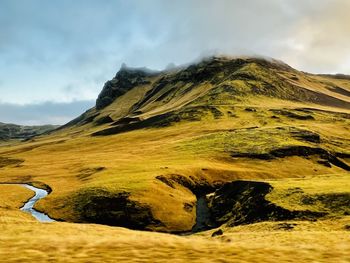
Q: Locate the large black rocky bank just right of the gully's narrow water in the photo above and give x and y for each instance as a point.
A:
(243, 202)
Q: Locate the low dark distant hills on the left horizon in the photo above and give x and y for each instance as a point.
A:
(13, 131)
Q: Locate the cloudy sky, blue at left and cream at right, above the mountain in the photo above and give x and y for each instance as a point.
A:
(55, 56)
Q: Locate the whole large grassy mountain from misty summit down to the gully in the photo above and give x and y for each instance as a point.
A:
(223, 142)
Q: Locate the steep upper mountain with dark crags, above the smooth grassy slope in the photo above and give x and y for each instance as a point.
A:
(138, 97)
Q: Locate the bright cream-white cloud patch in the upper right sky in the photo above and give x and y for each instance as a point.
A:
(320, 40)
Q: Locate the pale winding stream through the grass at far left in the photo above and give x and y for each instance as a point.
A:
(29, 205)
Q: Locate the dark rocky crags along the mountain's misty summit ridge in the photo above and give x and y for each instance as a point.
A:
(207, 70)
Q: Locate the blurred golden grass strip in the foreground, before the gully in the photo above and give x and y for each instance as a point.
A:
(23, 239)
